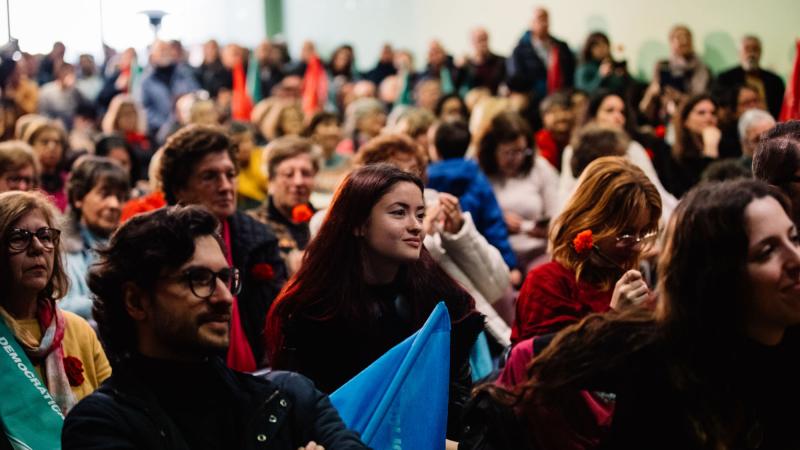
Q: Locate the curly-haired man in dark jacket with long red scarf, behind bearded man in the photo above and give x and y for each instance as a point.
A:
(198, 167)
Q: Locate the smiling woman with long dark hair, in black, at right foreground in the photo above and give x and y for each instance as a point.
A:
(713, 366)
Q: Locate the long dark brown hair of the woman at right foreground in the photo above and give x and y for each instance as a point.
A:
(698, 322)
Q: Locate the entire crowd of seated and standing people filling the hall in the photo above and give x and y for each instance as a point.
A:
(598, 239)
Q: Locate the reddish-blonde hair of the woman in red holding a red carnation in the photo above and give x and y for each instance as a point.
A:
(610, 194)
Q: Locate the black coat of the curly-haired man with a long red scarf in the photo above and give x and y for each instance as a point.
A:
(254, 243)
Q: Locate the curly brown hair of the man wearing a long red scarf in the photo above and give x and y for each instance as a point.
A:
(185, 149)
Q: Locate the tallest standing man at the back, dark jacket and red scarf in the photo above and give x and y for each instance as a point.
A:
(545, 62)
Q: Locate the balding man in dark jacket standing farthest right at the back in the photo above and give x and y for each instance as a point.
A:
(769, 85)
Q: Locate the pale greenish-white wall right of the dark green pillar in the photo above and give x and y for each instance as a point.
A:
(640, 26)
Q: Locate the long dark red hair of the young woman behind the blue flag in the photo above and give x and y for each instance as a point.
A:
(330, 283)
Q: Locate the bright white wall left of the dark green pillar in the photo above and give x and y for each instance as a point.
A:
(38, 23)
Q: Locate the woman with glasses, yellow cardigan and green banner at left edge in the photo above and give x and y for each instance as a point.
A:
(42, 346)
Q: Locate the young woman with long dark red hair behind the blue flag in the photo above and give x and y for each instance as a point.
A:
(367, 283)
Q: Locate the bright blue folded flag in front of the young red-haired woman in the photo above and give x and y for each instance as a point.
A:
(400, 400)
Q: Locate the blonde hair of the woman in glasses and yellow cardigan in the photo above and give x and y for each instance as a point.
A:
(14, 205)
